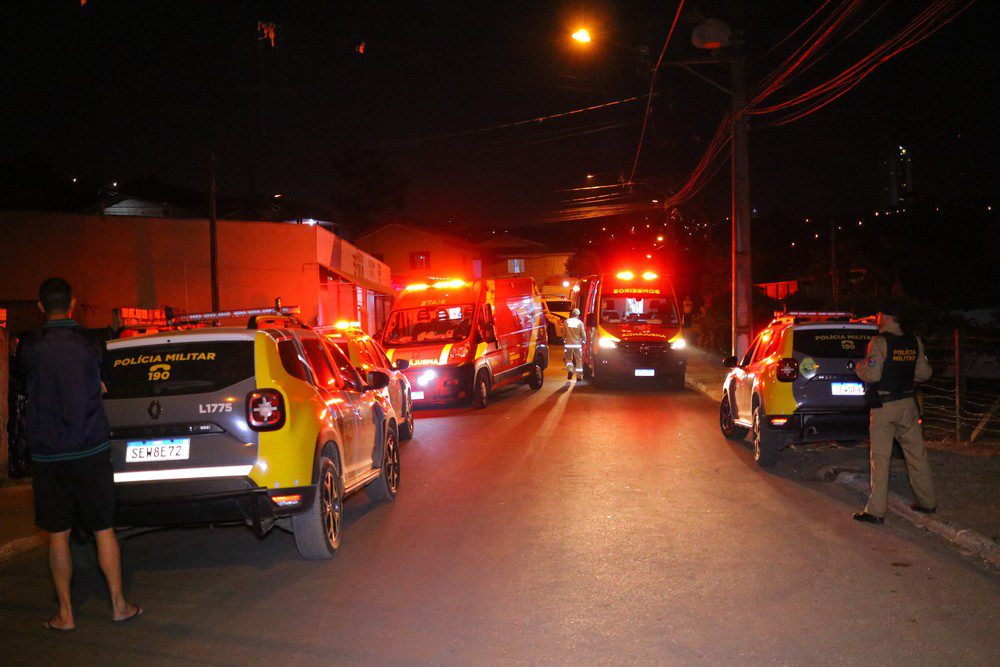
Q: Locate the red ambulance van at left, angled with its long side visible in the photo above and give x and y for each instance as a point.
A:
(464, 340)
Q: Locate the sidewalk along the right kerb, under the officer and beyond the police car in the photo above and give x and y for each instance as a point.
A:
(967, 480)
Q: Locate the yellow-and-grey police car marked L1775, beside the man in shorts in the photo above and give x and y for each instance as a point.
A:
(265, 424)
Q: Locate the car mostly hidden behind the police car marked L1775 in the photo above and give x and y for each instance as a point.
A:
(367, 355)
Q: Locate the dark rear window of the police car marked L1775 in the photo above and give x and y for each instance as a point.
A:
(174, 369)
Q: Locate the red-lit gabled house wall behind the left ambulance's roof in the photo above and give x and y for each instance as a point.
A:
(449, 257)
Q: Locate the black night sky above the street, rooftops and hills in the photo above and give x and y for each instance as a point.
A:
(123, 90)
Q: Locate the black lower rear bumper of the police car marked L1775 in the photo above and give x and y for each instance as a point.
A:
(213, 500)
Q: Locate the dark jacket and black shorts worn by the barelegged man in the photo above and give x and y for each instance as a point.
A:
(66, 430)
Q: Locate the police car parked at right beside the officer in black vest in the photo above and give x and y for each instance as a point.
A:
(796, 383)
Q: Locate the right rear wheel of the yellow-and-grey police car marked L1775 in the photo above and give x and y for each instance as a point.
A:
(318, 531)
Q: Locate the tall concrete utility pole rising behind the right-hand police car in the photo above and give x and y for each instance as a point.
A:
(742, 282)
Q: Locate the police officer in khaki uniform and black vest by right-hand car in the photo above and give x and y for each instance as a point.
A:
(894, 364)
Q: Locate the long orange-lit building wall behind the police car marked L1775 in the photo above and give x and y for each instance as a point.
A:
(115, 262)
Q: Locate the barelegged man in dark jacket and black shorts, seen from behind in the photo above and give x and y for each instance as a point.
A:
(67, 433)
